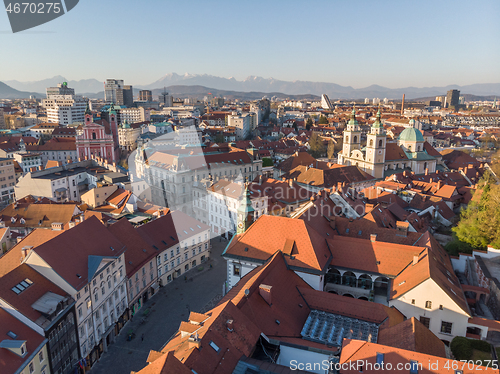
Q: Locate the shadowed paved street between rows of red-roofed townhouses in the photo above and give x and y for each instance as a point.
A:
(167, 309)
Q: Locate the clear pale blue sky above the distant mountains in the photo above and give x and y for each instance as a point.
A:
(393, 43)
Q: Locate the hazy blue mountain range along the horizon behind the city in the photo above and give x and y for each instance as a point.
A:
(248, 88)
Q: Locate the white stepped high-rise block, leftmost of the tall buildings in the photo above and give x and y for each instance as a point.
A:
(63, 106)
